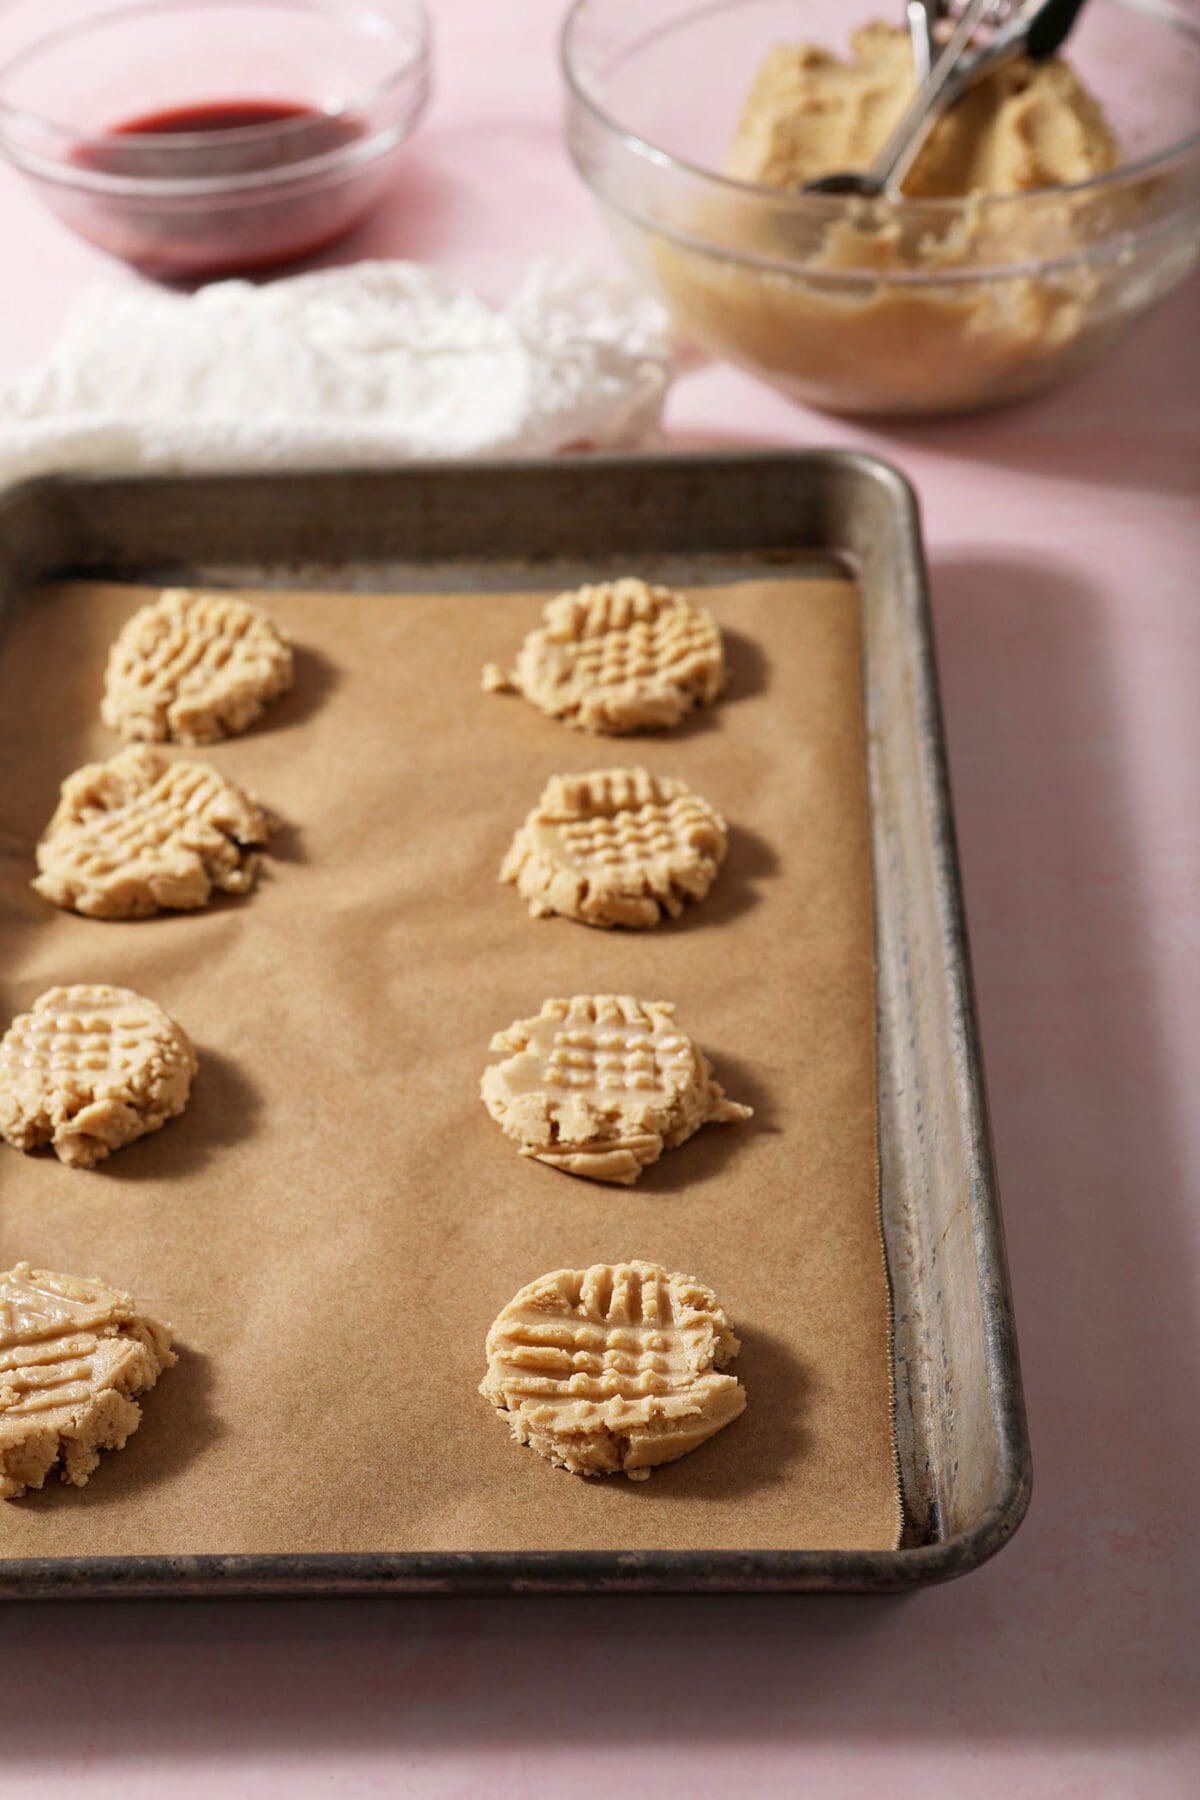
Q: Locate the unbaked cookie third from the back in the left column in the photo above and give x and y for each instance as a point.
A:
(91, 1070)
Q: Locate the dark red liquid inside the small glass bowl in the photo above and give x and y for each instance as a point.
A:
(251, 228)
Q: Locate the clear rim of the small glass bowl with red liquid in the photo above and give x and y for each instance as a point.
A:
(411, 69)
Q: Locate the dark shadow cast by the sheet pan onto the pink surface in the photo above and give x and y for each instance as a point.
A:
(1082, 1632)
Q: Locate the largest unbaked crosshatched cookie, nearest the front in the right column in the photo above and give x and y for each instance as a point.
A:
(614, 1369)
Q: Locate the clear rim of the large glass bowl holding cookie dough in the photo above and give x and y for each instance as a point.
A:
(834, 206)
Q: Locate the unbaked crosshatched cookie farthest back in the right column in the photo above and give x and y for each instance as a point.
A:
(618, 658)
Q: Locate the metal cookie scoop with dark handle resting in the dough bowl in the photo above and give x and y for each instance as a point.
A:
(1032, 30)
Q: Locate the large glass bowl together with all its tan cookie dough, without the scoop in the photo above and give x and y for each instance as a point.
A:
(1044, 217)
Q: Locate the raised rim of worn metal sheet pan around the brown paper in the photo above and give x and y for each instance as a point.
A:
(960, 1412)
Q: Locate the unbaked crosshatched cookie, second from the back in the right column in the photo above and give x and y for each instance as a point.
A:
(618, 847)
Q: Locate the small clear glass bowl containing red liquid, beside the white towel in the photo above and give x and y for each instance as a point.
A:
(208, 138)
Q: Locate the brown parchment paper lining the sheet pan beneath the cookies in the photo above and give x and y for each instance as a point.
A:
(336, 1221)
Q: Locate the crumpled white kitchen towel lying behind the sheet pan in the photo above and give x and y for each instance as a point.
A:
(372, 363)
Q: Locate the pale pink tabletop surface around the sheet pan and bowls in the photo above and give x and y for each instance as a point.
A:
(1064, 543)
